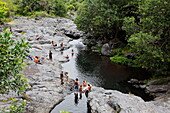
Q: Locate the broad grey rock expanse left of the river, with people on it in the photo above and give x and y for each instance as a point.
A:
(46, 89)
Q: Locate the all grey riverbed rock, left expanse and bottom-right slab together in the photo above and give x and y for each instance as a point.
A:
(46, 91)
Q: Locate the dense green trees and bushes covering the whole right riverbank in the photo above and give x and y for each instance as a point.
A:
(142, 25)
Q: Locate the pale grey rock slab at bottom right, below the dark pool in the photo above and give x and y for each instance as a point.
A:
(112, 101)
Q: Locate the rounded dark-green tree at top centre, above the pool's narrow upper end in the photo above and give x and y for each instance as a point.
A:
(102, 18)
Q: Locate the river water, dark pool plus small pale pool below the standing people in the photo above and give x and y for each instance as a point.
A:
(98, 71)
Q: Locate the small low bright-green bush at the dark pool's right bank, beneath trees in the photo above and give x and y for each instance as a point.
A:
(120, 60)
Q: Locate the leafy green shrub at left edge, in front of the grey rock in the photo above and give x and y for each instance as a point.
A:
(12, 54)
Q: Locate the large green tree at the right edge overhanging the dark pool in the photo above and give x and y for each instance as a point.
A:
(150, 36)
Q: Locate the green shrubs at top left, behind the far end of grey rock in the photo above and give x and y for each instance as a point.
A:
(41, 7)
